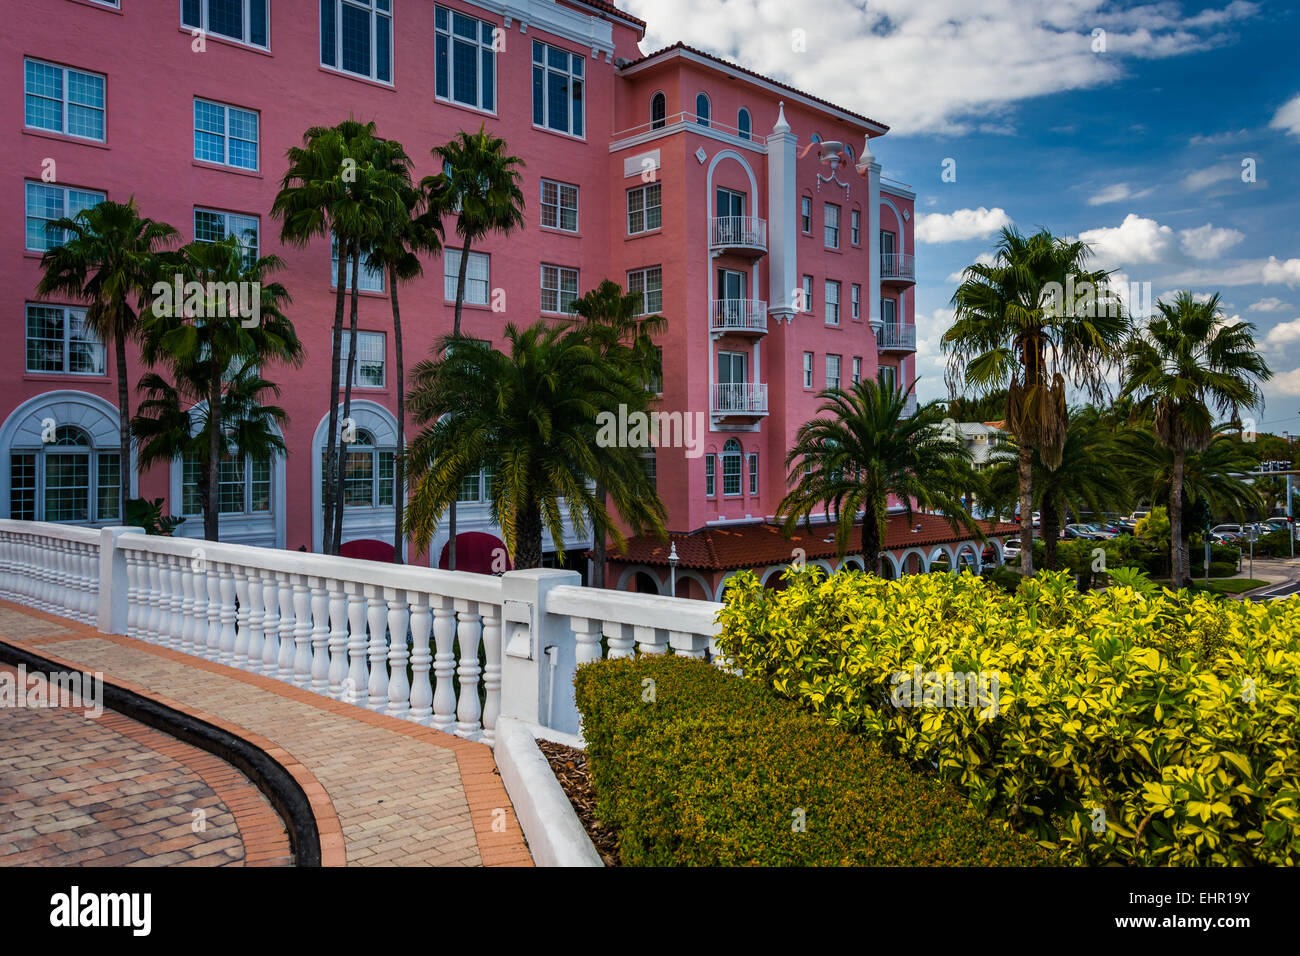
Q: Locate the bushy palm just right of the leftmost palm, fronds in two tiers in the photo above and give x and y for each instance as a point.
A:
(215, 360)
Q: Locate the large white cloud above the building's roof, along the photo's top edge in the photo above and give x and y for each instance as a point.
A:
(937, 66)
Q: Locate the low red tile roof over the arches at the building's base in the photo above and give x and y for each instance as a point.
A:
(759, 546)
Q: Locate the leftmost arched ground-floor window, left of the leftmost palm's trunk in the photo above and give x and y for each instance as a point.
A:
(64, 481)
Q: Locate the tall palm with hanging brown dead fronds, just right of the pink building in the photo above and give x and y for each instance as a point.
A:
(1015, 328)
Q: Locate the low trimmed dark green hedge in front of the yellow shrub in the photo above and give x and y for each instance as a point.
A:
(714, 771)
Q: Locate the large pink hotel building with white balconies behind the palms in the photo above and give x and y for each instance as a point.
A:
(751, 214)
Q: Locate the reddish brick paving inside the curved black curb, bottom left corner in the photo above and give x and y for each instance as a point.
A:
(107, 791)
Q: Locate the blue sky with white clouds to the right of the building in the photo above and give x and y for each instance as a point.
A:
(1165, 135)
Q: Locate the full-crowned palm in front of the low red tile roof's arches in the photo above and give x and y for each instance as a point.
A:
(861, 451)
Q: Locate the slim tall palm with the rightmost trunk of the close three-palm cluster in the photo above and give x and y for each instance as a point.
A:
(406, 236)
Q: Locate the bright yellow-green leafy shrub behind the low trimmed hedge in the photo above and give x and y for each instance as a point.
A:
(1175, 716)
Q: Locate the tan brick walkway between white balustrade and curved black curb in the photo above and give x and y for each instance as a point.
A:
(384, 791)
